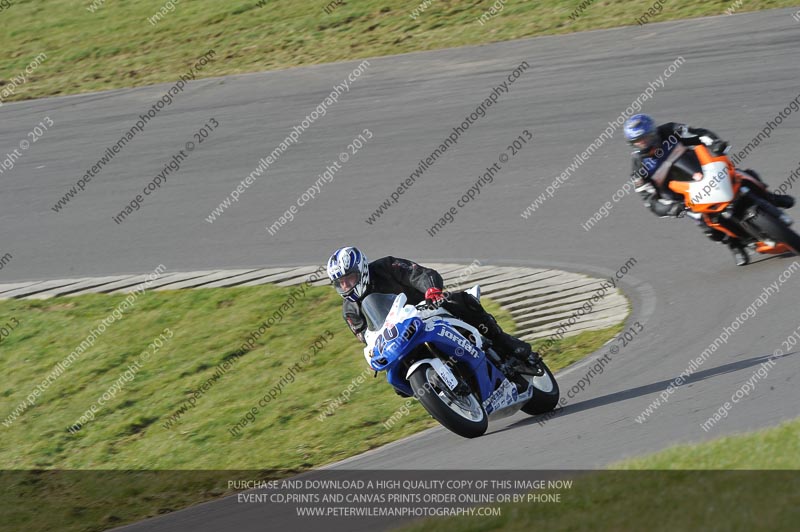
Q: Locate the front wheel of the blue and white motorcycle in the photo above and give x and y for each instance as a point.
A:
(461, 413)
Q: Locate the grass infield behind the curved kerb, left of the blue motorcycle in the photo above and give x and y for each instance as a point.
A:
(144, 419)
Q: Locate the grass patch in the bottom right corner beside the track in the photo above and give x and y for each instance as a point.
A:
(684, 487)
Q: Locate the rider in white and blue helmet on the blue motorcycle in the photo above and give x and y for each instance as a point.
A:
(354, 278)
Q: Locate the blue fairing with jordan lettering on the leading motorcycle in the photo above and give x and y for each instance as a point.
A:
(401, 340)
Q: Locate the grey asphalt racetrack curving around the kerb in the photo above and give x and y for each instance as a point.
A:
(739, 71)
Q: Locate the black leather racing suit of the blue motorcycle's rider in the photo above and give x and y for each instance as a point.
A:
(391, 275)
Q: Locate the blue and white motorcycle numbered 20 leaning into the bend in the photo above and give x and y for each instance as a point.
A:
(450, 367)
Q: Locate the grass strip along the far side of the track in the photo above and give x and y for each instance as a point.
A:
(94, 45)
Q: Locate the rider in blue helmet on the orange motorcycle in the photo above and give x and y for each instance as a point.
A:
(655, 155)
